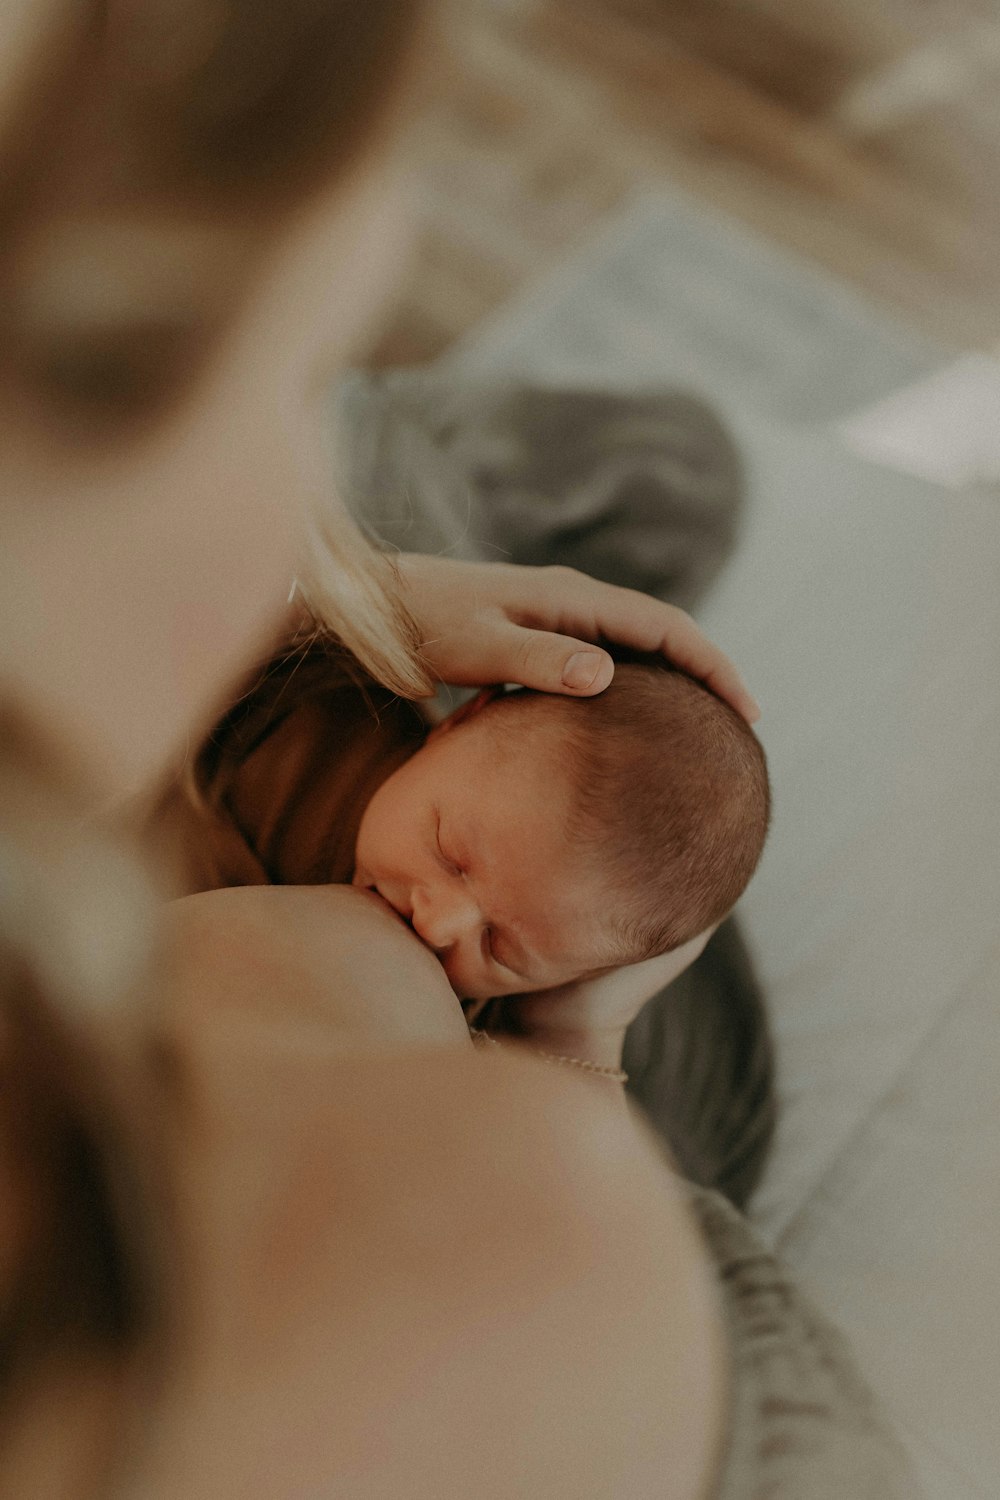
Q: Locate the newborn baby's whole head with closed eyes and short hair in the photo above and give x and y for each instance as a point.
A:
(545, 839)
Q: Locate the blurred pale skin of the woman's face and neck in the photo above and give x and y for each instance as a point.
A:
(193, 539)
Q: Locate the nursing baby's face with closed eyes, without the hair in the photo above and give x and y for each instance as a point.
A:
(469, 842)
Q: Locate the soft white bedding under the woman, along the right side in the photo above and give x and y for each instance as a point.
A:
(866, 611)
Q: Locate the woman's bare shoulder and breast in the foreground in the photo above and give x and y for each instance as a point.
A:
(403, 1270)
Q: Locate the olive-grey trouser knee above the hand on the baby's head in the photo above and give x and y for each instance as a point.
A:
(639, 490)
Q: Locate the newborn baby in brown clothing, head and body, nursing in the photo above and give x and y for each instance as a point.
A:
(530, 839)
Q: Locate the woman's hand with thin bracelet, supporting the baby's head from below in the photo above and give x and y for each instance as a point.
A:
(590, 1019)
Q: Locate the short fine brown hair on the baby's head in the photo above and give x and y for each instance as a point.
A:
(672, 800)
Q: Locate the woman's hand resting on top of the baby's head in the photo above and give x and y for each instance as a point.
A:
(488, 623)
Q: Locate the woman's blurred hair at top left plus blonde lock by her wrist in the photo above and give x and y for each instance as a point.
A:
(148, 170)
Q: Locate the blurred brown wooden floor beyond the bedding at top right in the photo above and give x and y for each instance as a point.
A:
(864, 137)
